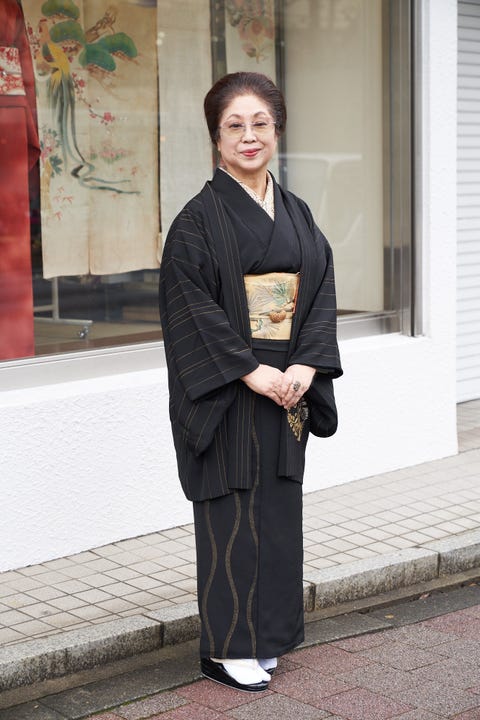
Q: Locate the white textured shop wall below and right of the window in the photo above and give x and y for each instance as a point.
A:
(89, 462)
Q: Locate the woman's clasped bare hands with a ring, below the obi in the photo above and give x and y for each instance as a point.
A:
(284, 388)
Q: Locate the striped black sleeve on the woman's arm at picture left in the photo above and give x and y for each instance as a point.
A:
(203, 350)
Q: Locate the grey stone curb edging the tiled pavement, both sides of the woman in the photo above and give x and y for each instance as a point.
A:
(32, 661)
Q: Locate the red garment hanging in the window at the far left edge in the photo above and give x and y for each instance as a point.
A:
(19, 150)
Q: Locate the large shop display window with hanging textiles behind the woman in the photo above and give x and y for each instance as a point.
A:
(103, 141)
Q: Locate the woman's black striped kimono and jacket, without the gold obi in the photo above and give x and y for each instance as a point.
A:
(238, 459)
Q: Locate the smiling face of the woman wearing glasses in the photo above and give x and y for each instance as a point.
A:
(248, 154)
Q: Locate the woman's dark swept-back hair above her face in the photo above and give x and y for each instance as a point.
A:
(243, 83)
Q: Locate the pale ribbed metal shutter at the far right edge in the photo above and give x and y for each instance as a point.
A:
(468, 202)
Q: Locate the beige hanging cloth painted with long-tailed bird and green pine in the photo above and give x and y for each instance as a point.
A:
(96, 77)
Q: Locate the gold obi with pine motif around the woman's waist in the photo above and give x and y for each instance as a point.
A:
(271, 302)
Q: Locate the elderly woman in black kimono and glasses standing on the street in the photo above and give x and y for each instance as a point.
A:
(247, 302)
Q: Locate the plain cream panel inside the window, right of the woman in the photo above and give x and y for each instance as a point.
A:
(334, 85)
